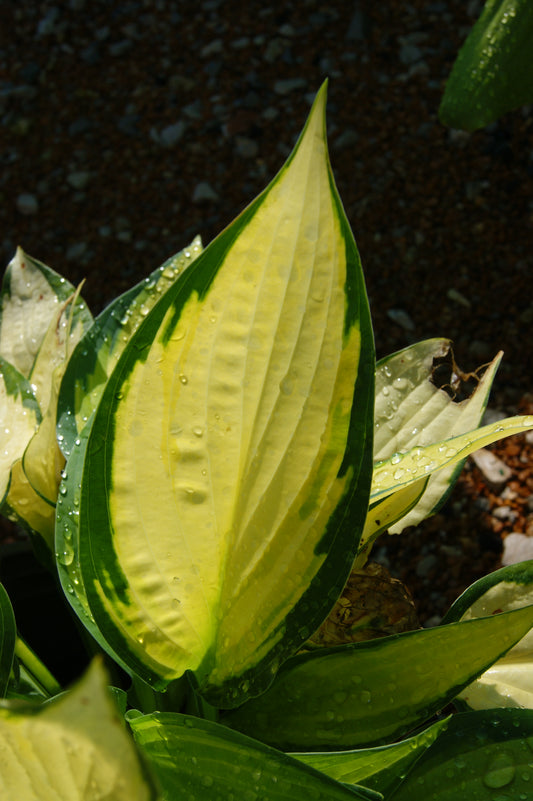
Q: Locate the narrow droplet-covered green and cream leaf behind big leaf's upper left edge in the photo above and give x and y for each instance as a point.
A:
(98, 352)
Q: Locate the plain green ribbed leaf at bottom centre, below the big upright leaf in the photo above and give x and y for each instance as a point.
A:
(194, 758)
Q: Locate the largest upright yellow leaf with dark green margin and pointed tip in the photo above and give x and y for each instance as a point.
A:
(226, 477)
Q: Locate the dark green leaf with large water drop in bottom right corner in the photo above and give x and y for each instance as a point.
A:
(486, 756)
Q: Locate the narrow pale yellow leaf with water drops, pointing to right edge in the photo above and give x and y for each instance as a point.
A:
(407, 468)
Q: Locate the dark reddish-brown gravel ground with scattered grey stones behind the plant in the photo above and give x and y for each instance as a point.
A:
(127, 128)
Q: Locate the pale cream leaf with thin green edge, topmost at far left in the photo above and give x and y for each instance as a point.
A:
(31, 296)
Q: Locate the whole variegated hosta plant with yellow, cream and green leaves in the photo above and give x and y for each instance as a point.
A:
(203, 466)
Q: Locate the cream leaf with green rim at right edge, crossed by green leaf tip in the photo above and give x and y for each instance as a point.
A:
(509, 682)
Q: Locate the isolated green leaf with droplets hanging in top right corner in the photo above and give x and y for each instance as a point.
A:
(493, 72)
